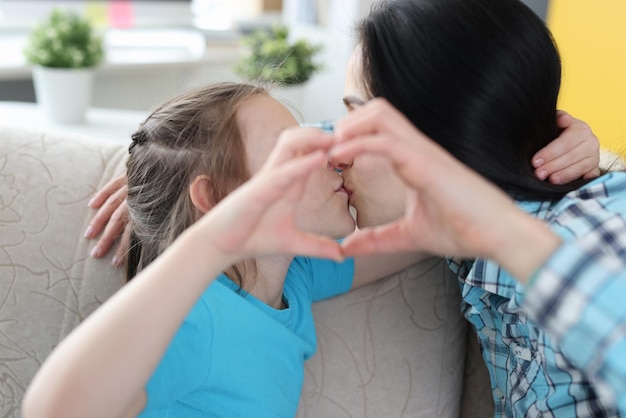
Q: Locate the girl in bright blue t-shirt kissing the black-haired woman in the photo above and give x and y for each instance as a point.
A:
(217, 321)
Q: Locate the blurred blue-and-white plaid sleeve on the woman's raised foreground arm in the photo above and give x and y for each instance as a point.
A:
(579, 296)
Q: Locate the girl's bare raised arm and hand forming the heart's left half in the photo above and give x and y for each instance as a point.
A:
(102, 367)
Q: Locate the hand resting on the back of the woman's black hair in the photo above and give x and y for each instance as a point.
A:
(574, 154)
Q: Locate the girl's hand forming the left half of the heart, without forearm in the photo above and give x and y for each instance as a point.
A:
(258, 218)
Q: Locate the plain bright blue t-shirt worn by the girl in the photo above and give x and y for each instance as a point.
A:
(235, 356)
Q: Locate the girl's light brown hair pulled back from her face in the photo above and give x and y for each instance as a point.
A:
(193, 134)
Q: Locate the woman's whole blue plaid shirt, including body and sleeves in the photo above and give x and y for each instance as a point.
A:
(546, 365)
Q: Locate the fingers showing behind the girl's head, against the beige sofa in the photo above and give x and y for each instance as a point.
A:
(111, 217)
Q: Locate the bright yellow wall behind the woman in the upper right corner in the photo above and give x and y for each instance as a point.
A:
(591, 35)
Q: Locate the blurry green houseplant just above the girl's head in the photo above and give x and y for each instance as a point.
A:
(273, 59)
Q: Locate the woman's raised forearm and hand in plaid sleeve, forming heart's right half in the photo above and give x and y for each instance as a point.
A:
(567, 283)
